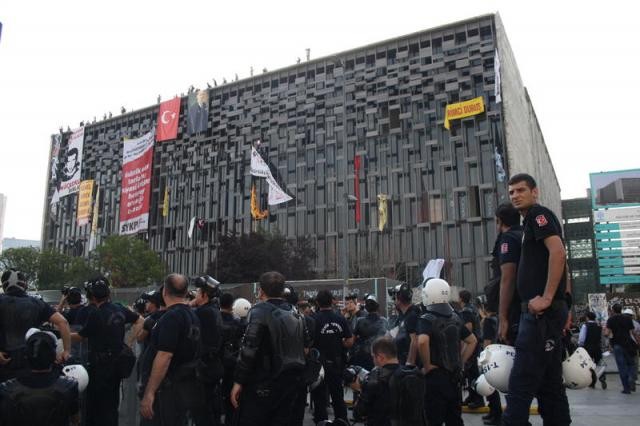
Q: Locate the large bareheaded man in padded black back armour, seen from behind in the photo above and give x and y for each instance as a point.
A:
(272, 358)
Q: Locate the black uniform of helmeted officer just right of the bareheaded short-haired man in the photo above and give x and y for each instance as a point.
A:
(212, 369)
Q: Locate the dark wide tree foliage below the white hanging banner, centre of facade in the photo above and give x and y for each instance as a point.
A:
(244, 258)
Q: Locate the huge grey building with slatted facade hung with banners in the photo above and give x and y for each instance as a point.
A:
(385, 105)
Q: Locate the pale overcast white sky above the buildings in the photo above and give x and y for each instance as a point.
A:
(67, 61)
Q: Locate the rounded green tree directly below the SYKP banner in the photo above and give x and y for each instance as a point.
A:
(128, 261)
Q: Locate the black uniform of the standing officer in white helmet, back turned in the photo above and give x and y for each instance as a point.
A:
(442, 395)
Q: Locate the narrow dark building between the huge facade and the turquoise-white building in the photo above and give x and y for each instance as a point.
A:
(581, 258)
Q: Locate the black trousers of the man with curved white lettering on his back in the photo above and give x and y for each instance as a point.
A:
(333, 384)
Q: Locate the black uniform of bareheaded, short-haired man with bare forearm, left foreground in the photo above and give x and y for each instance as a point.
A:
(177, 332)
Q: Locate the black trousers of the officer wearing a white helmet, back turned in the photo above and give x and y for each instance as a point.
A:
(443, 399)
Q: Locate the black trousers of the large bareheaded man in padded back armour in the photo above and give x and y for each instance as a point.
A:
(269, 404)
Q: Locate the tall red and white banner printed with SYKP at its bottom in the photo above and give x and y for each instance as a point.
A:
(136, 184)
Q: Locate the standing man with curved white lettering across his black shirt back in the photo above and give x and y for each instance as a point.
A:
(332, 336)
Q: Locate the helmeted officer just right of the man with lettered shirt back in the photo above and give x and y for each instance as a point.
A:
(367, 329)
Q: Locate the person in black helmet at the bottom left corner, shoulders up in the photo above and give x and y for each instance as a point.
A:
(41, 397)
